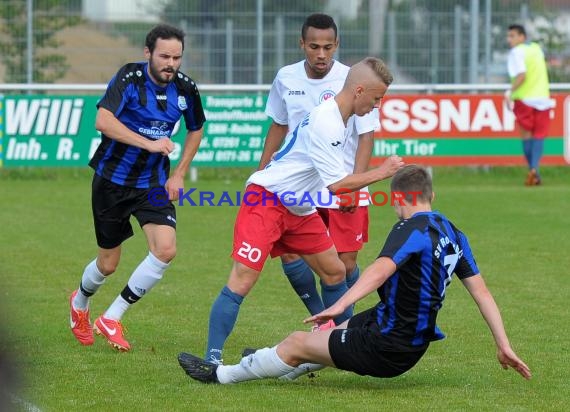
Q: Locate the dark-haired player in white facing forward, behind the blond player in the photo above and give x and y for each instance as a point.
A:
(296, 90)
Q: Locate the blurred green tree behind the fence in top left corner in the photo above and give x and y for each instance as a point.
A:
(49, 16)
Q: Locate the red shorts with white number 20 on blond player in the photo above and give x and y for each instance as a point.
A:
(264, 227)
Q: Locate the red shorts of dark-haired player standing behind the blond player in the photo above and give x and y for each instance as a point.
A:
(348, 231)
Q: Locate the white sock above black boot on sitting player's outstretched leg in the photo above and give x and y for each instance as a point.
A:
(264, 363)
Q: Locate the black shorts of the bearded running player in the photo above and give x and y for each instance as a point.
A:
(113, 206)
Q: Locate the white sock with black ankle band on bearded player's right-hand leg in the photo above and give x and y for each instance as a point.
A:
(146, 275)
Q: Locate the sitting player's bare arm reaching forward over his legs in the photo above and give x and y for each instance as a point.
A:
(370, 280)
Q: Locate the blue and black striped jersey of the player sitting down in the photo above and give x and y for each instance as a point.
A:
(427, 249)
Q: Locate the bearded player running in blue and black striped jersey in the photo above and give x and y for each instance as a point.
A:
(136, 118)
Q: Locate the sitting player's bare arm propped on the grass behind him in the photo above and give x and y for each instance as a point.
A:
(490, 311)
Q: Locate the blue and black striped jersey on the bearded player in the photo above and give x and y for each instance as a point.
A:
(152, 112)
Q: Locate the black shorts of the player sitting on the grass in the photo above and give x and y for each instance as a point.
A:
(362, 349)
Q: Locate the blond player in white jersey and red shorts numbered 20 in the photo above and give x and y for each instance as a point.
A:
(273, 219)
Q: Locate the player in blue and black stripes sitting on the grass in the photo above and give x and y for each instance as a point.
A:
(411, 274)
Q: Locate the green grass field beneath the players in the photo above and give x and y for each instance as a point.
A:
(520, 237)
